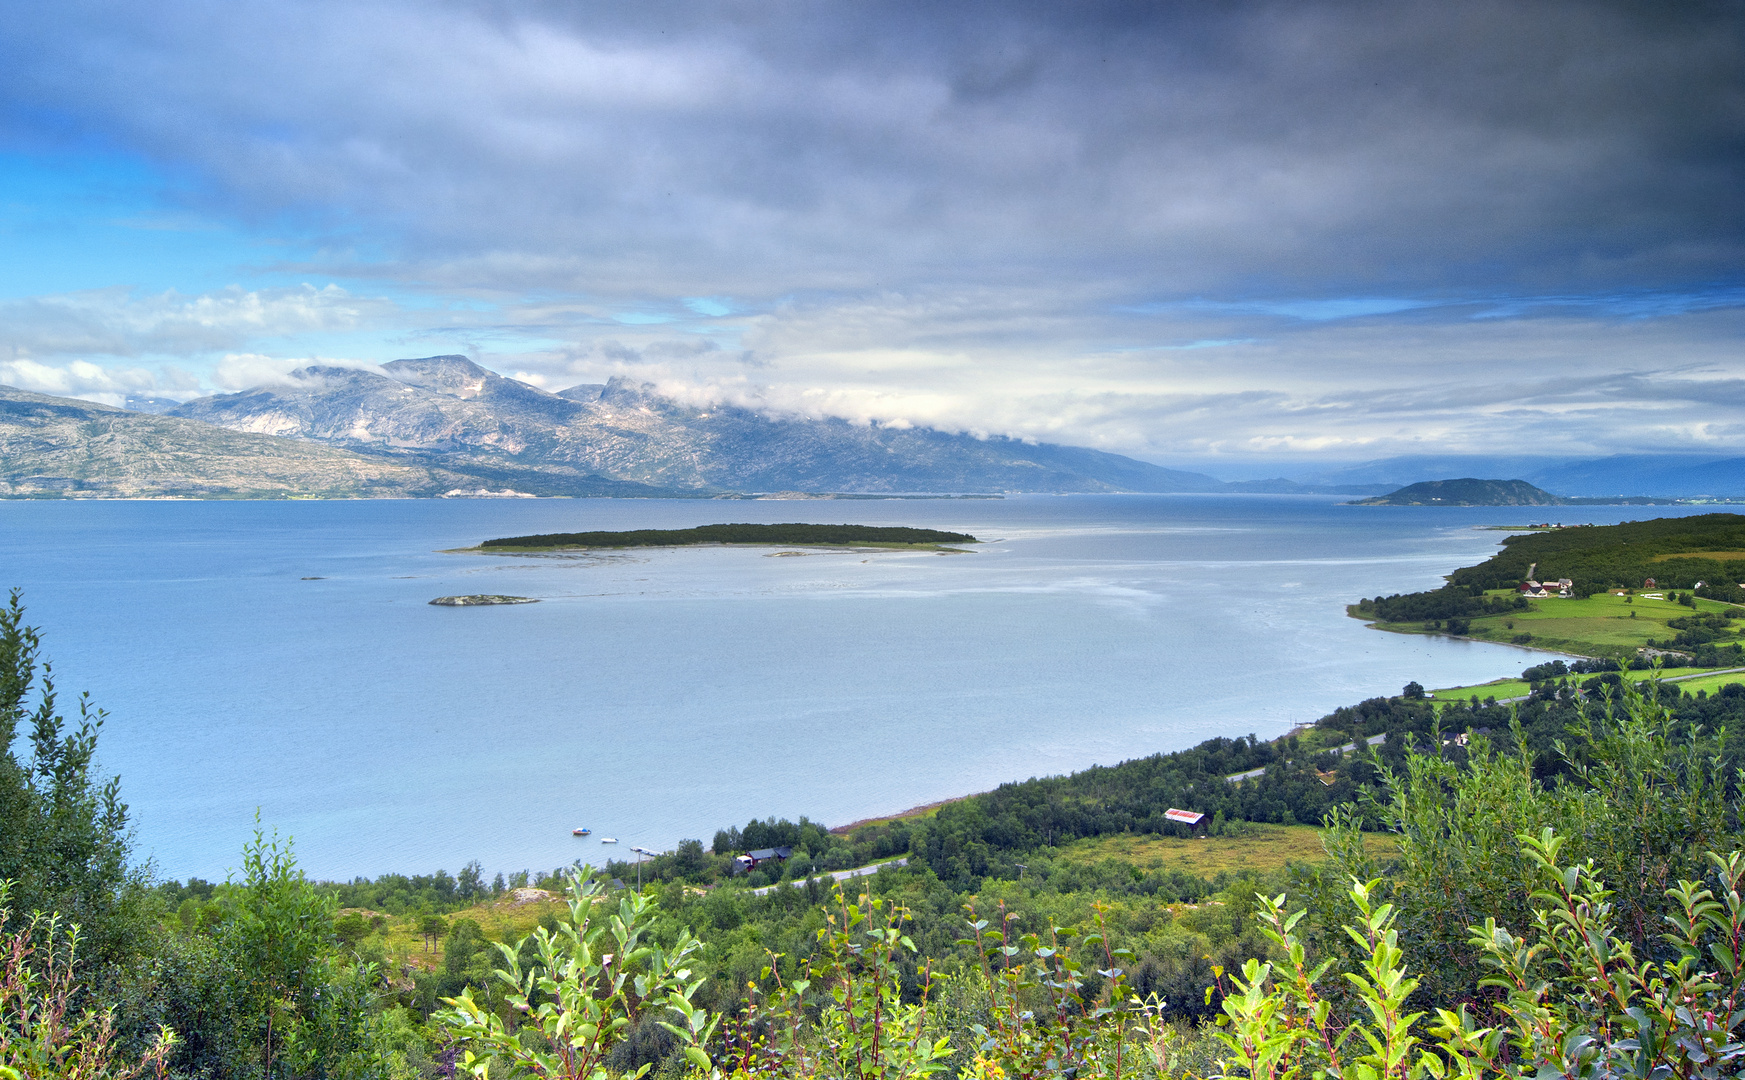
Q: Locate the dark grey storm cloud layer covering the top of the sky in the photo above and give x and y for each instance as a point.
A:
(760, 149)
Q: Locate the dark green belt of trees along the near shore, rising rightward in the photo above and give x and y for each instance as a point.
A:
(1296, 781)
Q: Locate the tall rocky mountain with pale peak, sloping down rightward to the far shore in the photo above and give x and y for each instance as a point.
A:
(448, 409)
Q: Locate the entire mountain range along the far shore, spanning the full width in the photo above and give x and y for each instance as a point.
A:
(444, 425)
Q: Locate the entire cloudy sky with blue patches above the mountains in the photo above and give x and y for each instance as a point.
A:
(1222, 235)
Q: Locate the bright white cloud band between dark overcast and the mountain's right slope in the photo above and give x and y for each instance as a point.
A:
(1053, 369)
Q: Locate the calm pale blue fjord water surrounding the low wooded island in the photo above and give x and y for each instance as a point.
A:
(667, 694)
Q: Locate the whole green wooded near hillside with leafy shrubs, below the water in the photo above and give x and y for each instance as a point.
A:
(1516, 838)
